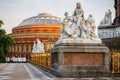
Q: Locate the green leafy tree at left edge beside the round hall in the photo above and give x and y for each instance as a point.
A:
(5, 43)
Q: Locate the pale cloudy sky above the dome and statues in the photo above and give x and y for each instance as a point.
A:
(13, 12)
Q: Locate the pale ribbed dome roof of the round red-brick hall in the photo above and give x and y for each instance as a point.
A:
(43, 18)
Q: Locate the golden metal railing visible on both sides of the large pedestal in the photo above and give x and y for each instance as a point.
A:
(44, 60)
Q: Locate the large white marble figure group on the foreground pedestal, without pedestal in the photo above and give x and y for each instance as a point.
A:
(76, 29)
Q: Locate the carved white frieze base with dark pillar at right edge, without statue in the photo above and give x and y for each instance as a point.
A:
(110, 34)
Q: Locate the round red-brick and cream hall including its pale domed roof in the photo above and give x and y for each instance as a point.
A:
(43, 26)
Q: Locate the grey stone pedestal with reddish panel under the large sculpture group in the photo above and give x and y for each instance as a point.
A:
(80, 60)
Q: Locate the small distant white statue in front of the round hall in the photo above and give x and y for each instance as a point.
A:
(38, 47)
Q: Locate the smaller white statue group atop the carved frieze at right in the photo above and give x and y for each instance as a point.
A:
(107, 20)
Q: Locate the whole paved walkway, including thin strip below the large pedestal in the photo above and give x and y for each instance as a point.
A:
(27, 71)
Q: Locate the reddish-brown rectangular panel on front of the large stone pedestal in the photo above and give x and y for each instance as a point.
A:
(83, 58)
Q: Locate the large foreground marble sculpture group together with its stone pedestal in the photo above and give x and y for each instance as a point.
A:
(79, 52)
